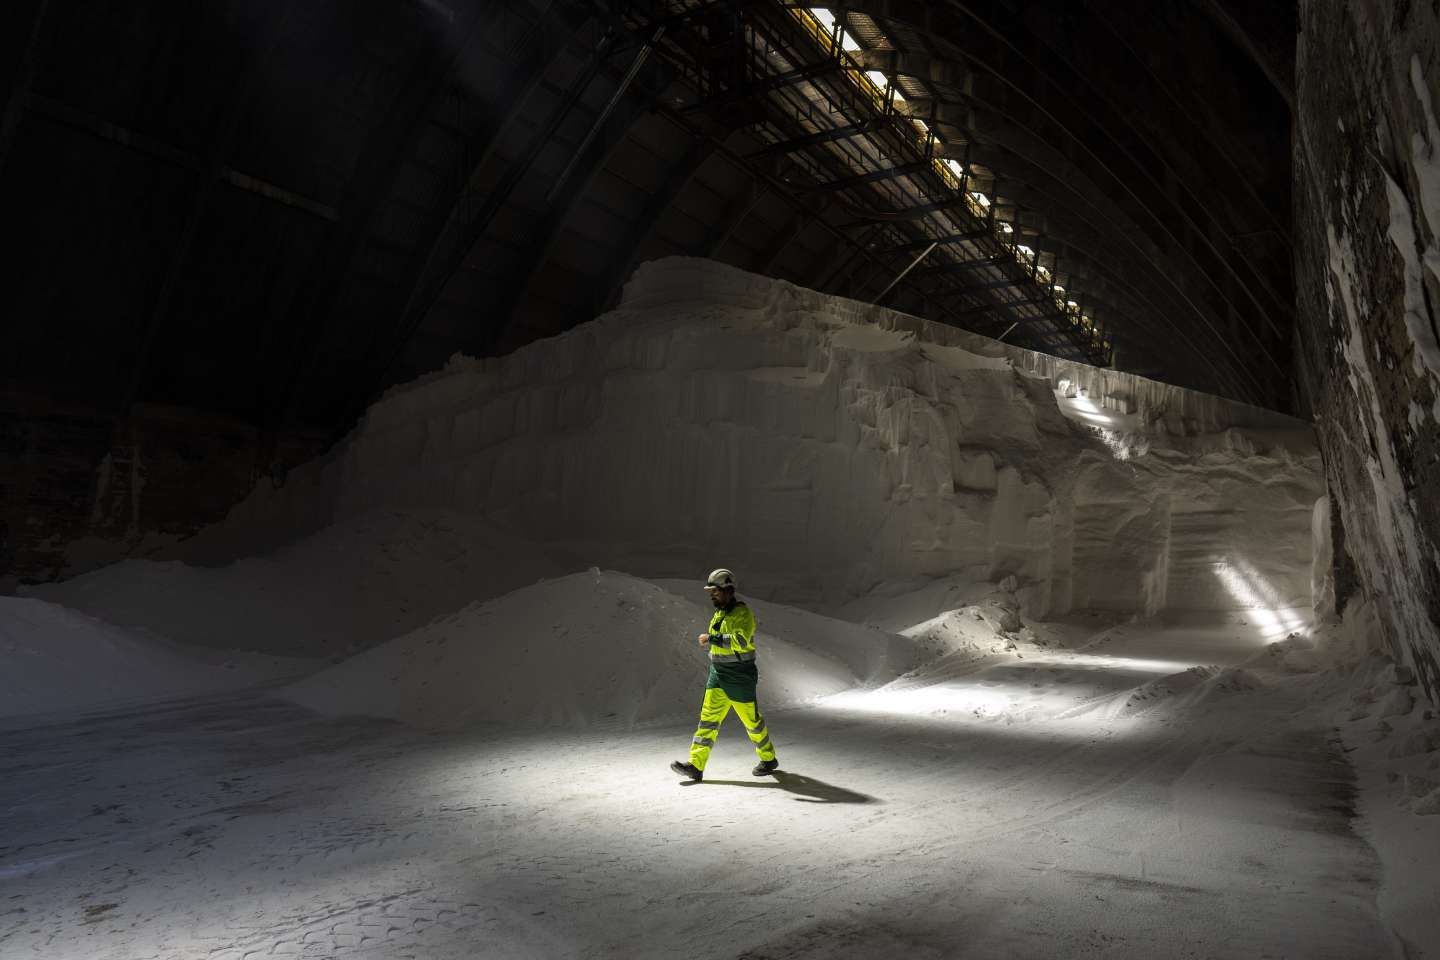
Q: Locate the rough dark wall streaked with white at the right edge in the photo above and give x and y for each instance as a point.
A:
(1367, 152)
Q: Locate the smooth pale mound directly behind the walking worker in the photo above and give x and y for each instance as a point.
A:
(587, 650)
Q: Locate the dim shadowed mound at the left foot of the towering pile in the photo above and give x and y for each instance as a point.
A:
(356, 584)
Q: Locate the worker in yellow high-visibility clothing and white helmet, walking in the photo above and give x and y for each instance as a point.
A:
(734, 676)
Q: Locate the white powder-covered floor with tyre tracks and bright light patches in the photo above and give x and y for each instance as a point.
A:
(1066, 805)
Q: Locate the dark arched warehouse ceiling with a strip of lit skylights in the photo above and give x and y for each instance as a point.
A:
(273, 211)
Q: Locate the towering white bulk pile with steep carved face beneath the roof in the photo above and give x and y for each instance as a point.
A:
(826, 448)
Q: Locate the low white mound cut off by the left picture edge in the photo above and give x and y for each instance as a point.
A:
(60, 661)
